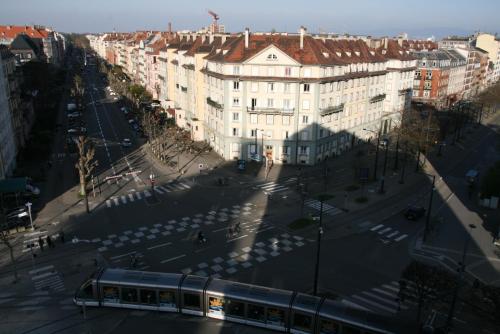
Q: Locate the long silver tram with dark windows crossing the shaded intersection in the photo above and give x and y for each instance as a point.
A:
(280, 310)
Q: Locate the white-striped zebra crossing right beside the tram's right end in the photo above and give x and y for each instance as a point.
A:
(383, 299)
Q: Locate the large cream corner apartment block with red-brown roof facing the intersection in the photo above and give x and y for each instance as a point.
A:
(292, 98)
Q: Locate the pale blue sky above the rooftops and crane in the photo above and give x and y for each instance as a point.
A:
(418, 18)
